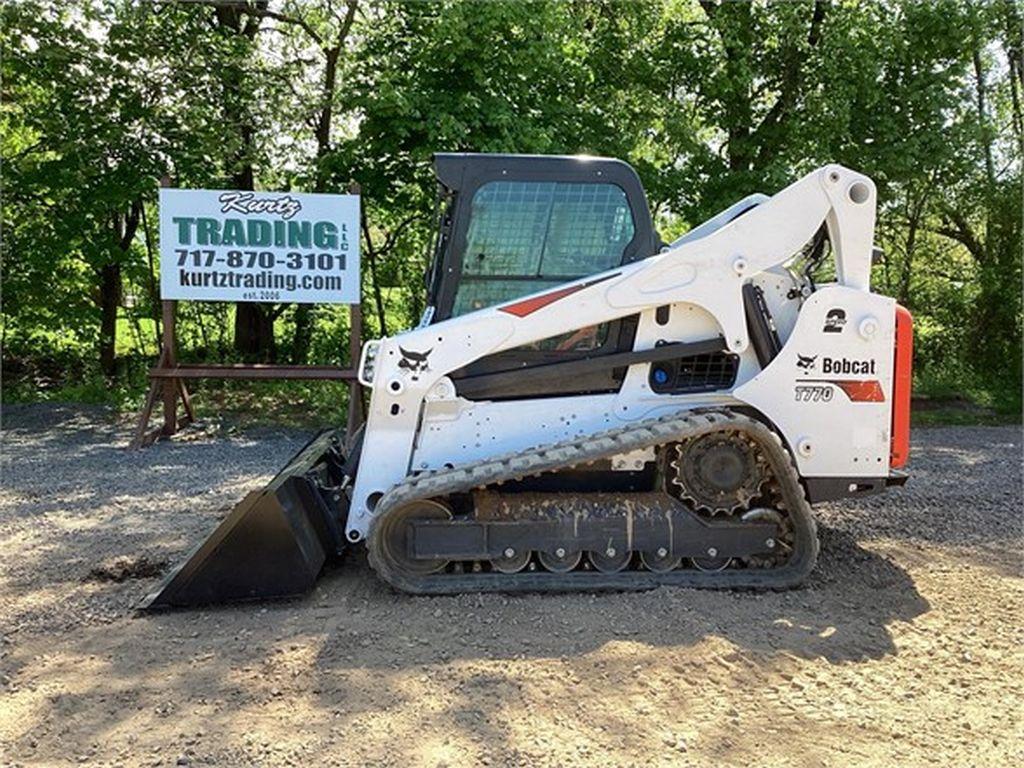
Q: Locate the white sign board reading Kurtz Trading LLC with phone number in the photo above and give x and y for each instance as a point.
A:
(222, 245)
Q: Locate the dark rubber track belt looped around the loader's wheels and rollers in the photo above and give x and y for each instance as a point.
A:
(603, 446)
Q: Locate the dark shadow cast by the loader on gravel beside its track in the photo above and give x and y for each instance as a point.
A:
(841, 616)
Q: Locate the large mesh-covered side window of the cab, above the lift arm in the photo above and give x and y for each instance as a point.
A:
(526, 237)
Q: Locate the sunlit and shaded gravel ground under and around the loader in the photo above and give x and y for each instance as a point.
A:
(905, 648)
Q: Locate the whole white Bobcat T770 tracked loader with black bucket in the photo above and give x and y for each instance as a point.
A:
(584, 407)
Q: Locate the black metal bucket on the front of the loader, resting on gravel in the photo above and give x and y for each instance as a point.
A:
(274, 543)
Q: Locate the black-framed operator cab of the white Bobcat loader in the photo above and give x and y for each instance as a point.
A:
(511, 226)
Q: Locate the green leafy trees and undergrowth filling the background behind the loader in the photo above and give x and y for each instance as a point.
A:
(710, 101)
